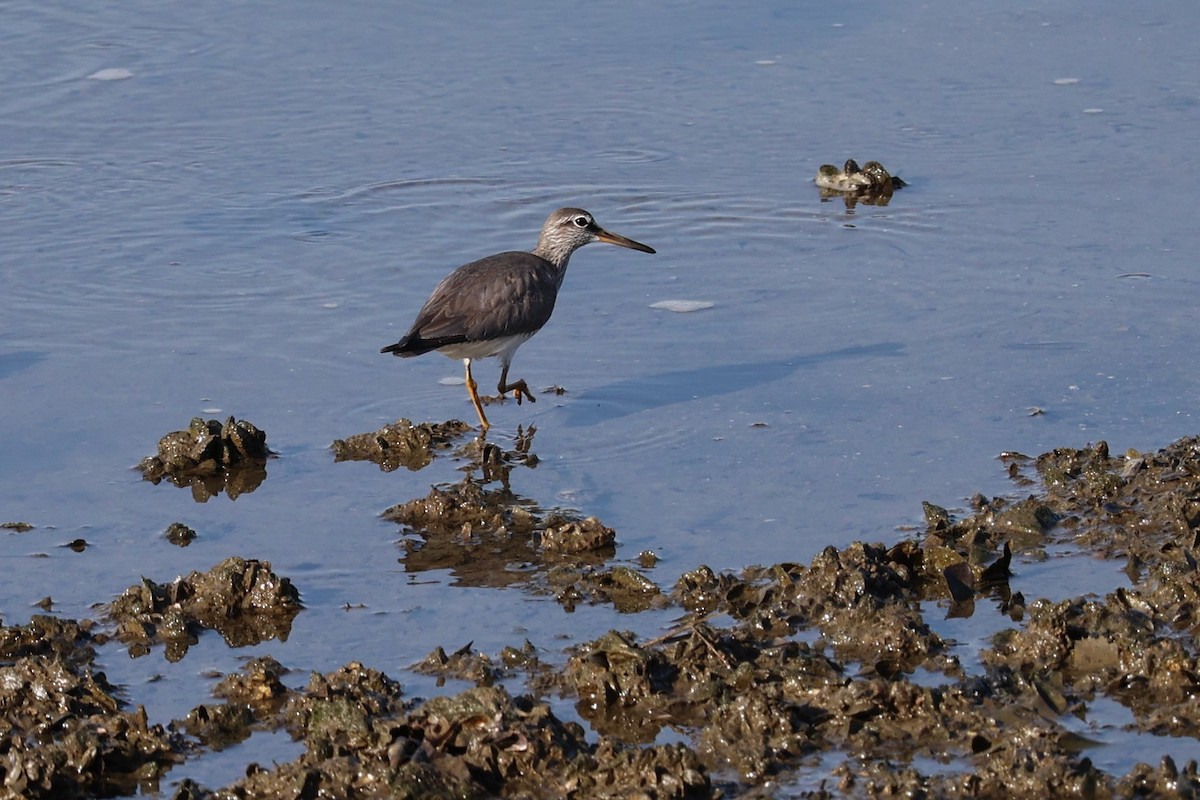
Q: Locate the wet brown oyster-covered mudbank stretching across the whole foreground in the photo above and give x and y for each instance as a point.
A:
(819, 681)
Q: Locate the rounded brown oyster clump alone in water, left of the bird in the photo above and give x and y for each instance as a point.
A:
(211, 458)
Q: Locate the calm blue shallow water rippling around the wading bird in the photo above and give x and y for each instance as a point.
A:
(243, 221)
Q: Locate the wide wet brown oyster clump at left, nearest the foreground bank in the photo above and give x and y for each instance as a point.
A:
(241, 599)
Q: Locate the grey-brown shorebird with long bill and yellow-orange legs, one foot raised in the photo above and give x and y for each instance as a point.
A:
(493, 306)
